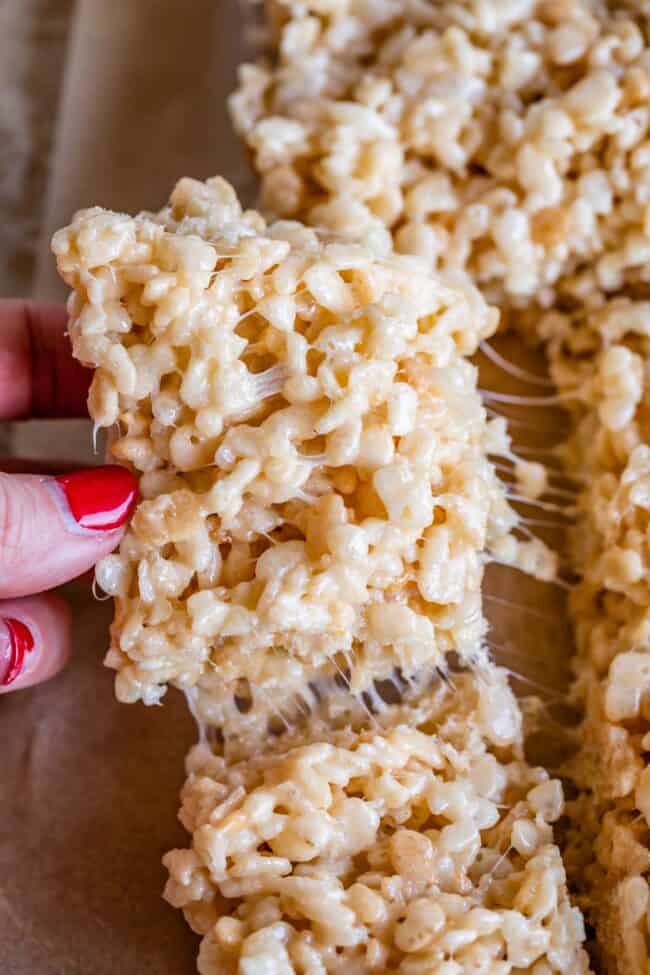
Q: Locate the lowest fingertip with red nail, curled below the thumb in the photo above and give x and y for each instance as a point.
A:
(34, 640)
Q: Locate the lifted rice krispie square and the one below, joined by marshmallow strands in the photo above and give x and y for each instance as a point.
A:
(317, 505)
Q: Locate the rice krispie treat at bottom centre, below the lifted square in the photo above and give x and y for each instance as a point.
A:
(422, 847)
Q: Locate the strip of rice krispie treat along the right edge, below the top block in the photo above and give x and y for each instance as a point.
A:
(606, 354)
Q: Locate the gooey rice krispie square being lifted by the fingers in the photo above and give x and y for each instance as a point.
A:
(316, 498)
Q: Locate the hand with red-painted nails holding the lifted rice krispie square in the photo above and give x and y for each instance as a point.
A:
(52, 529)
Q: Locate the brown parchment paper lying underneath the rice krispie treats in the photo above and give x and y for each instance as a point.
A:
(88, 788)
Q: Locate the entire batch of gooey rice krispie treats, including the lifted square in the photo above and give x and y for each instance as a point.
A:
(323, 483)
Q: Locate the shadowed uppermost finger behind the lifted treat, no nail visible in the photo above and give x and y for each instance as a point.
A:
(38, 376)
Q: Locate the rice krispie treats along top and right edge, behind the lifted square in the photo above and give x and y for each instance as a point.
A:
(509, 142)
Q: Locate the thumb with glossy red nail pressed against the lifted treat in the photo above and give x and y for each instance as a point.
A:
(53, 529)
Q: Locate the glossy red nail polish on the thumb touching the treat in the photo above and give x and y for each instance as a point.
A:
(101, 498)
